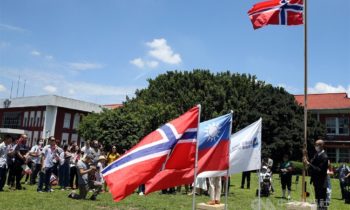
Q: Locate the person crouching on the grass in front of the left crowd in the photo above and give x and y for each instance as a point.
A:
(85, 168)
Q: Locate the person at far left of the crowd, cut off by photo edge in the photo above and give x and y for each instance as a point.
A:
(3, 160)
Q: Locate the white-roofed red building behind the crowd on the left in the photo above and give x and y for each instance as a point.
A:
(44, 116)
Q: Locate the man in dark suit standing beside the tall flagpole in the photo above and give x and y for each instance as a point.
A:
(318, 171)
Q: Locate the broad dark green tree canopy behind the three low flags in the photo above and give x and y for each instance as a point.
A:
(173, 93)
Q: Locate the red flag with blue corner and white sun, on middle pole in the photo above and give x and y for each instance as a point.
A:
(213, 155)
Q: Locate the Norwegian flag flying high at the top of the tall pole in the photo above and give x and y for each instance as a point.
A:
(277, 12)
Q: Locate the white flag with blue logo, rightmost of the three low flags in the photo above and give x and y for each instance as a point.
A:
(245, 150)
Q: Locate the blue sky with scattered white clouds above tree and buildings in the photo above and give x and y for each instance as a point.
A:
(101, 51)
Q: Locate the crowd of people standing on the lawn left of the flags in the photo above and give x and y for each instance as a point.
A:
(68, 166)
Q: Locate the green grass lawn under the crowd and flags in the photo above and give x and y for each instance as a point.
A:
(241, 199)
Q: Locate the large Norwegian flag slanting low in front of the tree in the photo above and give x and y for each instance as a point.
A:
(145, 160)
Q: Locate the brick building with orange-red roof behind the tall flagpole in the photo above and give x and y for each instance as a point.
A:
(332, 110)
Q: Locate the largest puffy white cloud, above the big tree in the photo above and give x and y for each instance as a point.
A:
(163, 52)
